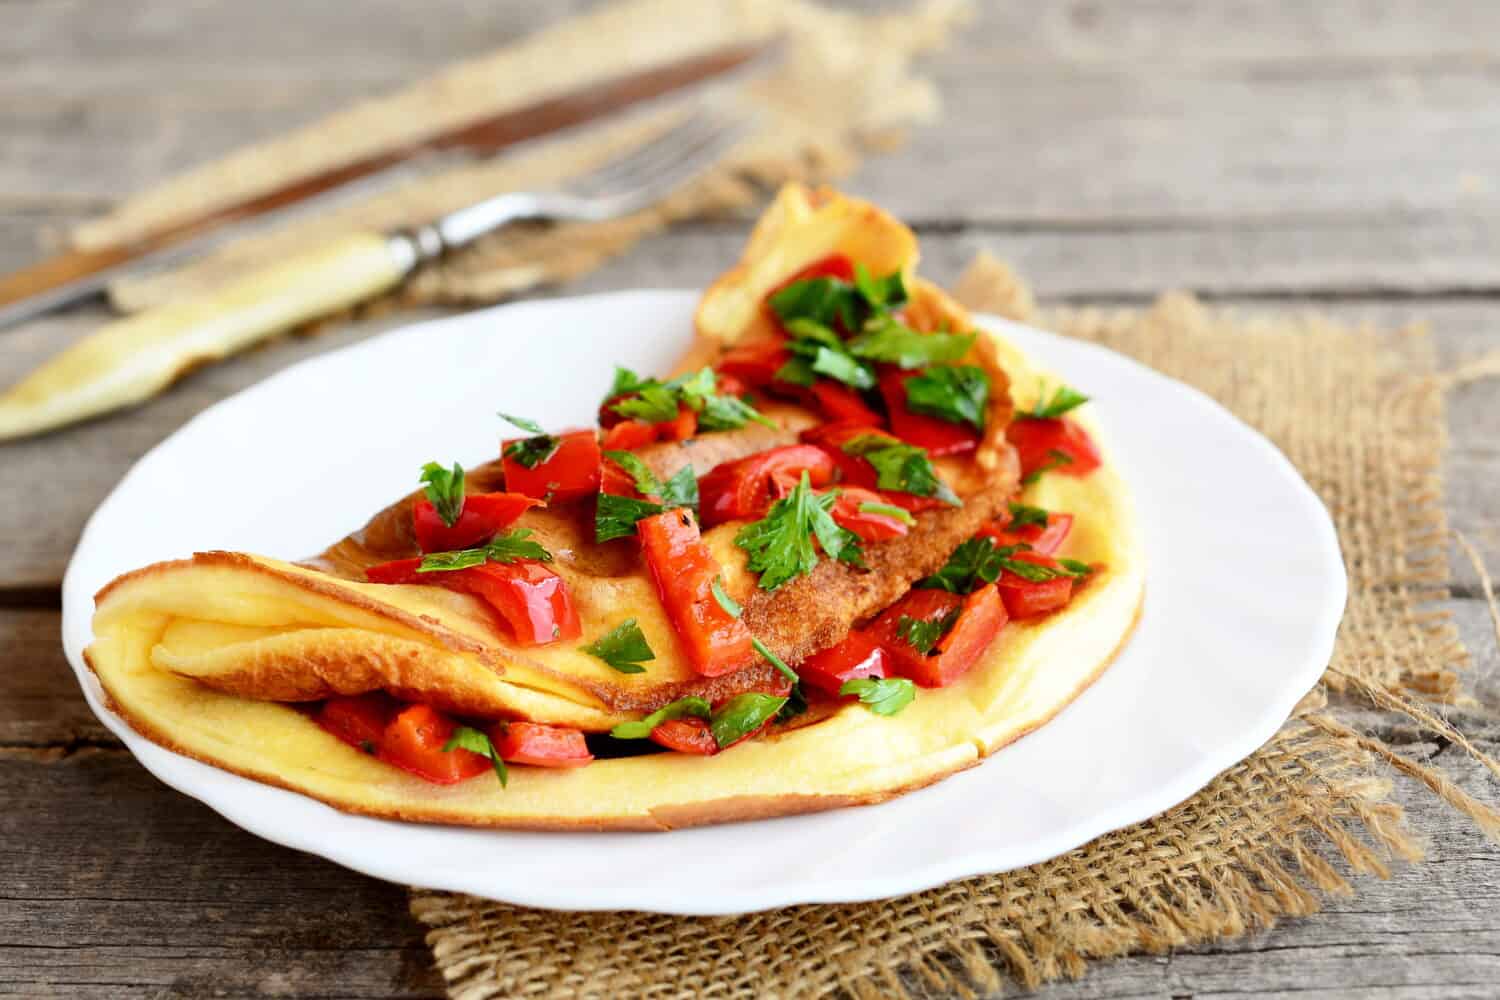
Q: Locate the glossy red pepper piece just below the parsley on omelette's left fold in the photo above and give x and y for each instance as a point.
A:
(533, 600)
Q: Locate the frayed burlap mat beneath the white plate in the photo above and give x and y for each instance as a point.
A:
(1361, 415)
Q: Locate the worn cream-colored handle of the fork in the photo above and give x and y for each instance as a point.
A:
(131, 361)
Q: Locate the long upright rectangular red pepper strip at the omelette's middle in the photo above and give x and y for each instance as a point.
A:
(685, 572)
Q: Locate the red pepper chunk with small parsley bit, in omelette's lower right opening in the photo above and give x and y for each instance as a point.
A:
(982, 615)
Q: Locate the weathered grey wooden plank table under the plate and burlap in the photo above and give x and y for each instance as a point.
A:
(1343, 155)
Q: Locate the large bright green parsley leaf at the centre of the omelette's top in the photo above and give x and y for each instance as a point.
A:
(781, 545)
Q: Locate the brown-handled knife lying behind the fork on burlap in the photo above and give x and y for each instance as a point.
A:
(77, 275)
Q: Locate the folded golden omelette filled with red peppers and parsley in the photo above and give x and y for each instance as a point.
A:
(850, 546)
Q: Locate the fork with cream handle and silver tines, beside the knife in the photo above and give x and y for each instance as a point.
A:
(130, 361)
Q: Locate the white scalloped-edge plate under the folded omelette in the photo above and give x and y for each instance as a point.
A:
(1234, 633)
